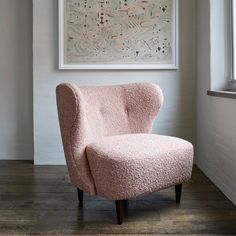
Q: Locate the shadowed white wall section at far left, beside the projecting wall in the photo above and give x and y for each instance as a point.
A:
(16, 125)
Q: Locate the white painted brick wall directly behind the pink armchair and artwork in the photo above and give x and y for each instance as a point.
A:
(176, 118)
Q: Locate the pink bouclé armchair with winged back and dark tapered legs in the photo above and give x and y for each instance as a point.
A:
(108, 146)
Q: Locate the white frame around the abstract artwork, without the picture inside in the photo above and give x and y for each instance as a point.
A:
(63, 65)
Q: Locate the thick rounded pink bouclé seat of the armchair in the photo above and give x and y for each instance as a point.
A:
(126, 166)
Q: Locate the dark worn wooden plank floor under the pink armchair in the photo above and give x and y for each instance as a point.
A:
(40, 200)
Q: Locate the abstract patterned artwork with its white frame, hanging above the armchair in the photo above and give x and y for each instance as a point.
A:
(118, 34)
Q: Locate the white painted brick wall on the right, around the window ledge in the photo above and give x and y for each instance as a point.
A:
(216, 117)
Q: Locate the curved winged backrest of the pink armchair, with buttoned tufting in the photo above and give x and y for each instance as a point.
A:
(87, 114)
